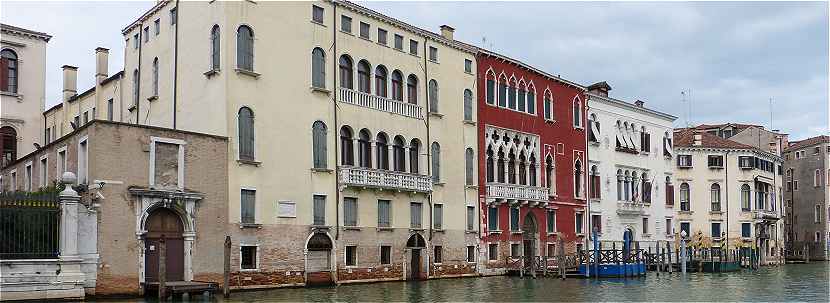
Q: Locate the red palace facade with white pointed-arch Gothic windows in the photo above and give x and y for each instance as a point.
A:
(532, 159)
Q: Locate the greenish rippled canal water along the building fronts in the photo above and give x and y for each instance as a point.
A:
(796, 282)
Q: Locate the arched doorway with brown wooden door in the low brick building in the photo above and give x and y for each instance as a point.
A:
(164, 222)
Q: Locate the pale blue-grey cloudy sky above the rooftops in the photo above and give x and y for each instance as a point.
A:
(733, 57)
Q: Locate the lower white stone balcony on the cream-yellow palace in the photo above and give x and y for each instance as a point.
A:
(384, 179)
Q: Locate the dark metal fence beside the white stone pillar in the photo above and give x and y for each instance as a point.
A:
(29, 225)
